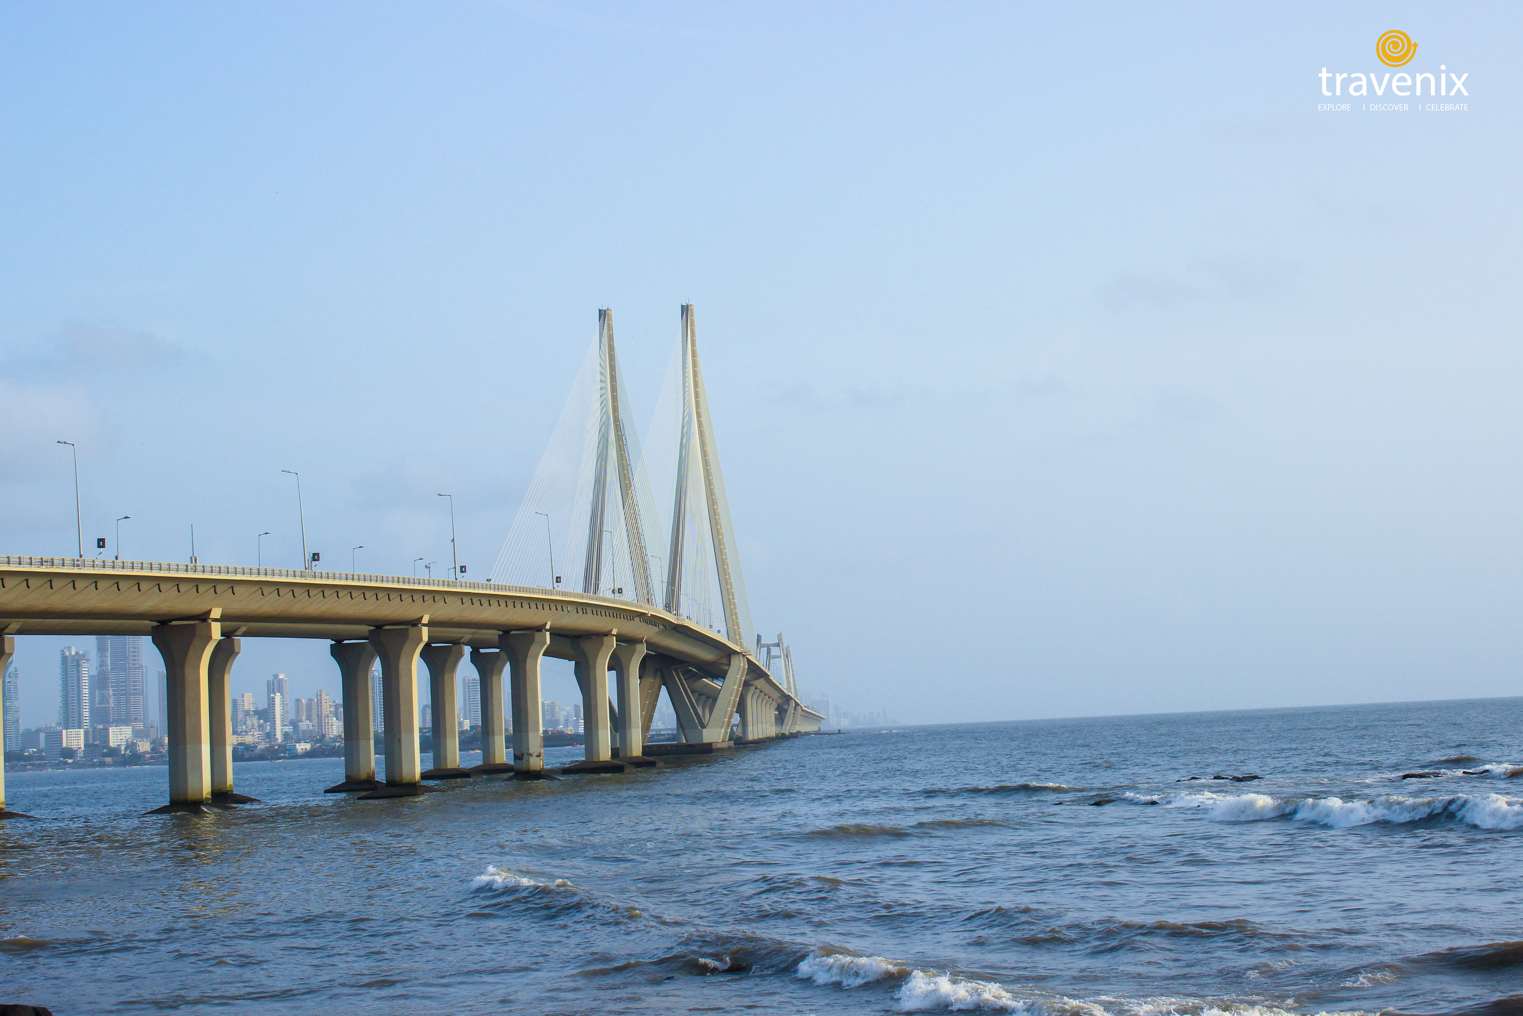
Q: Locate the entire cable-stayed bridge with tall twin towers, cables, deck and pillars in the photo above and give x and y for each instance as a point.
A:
(654, 637)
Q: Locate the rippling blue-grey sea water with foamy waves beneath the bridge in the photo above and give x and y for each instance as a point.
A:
(1327, 860)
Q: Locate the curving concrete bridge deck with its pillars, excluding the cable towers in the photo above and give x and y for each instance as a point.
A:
(199, 615)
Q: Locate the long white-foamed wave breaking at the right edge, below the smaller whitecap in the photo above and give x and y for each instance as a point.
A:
(1486, 811)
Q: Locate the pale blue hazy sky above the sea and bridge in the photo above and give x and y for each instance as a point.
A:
(1064, 359)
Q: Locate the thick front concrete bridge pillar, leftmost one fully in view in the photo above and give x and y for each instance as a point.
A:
(187, 650)
